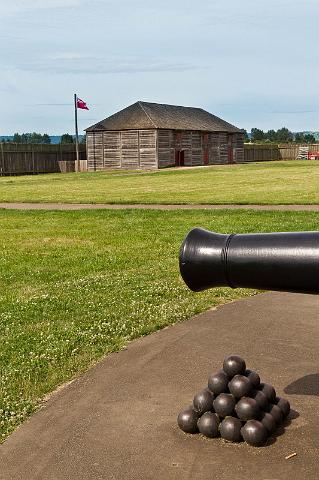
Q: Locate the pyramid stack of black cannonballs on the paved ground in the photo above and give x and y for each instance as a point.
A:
(235, 406)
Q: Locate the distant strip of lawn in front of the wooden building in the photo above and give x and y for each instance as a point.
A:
(295, 182)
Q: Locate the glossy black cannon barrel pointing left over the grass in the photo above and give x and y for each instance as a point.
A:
(267, 261)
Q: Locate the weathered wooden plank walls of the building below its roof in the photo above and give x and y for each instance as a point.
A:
(149, 149)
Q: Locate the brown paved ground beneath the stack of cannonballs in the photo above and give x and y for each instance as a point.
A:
(118, 421)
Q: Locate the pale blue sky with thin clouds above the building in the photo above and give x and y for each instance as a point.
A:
(252, 62)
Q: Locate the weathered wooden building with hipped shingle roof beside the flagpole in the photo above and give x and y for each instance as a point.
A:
(150, 136)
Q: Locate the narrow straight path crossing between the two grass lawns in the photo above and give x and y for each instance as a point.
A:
(99, 206)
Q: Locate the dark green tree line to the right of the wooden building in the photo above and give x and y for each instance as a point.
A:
(283, 135)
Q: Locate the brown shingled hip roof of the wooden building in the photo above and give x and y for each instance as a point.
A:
(144, 115)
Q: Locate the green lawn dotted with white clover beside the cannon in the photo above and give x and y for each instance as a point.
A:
(78, 285)
